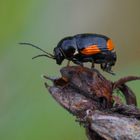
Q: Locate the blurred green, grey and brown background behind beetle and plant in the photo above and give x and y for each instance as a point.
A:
(27, 111)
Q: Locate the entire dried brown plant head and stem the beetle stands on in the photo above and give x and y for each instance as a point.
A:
(82, 91)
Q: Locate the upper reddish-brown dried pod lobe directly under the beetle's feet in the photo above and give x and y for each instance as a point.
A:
(88, 82)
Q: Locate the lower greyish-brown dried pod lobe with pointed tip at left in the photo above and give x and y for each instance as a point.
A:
(70, 99)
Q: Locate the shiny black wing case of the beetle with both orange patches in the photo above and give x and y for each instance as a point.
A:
(94, 44)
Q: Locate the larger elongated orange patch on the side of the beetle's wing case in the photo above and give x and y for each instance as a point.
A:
(93, 49)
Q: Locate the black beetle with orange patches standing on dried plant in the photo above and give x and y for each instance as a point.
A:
(80, 48)
